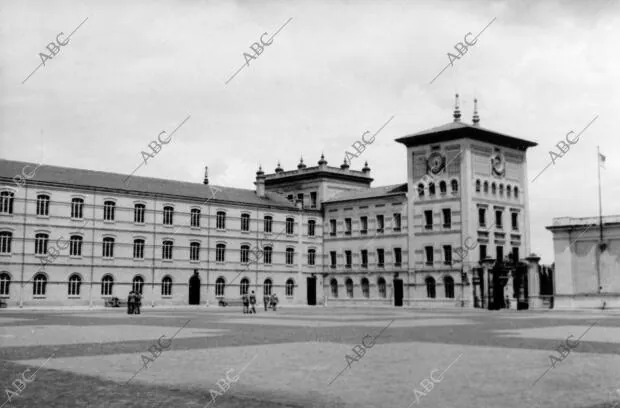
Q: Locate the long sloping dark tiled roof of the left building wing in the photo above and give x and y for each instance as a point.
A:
(111, 182)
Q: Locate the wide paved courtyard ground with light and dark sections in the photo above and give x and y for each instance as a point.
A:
(292, 358)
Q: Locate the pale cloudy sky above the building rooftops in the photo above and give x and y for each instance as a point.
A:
(337, 69)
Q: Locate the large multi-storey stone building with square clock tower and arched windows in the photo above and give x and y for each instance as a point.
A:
(314, 235)
